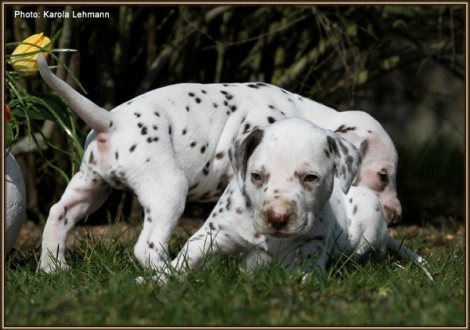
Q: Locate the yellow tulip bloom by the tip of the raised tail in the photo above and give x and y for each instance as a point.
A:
(29, 62)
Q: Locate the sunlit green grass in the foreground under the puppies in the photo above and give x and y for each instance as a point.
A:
(101, 290)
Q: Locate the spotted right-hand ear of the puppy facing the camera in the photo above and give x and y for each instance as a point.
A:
(347, 160)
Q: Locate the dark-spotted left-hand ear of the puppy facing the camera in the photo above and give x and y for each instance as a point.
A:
(241, 150)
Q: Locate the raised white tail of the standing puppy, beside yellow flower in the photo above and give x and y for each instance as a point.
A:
(94, 116)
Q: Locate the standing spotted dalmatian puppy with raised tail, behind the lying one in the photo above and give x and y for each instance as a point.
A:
(169, 146)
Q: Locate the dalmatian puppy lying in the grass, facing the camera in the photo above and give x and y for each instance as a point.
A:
(292, 201)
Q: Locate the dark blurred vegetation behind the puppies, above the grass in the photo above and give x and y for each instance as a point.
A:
(403, 64)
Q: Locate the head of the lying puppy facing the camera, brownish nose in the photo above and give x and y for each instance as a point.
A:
(286, 173)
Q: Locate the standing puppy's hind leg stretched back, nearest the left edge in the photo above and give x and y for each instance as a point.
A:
(81, 197)
